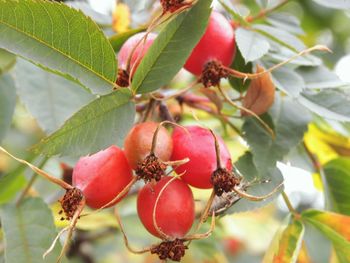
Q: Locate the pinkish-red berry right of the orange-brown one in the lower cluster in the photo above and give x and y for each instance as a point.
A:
(198, 145)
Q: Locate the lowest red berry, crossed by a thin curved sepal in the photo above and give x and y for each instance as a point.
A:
(175, 210)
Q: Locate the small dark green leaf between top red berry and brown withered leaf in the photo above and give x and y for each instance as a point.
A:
(239, 64)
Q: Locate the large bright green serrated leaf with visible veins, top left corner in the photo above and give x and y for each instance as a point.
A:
(60, 38)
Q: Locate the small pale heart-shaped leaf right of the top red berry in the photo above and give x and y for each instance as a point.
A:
(251, 44)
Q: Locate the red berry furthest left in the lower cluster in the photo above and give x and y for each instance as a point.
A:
(102, 176)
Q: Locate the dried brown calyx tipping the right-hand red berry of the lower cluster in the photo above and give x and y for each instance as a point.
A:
(223, 181)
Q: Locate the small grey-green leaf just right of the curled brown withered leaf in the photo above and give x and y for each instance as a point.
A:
(288, 81)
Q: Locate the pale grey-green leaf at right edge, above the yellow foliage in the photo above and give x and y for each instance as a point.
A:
(330, 104)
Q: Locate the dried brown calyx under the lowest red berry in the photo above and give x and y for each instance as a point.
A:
(173, 250)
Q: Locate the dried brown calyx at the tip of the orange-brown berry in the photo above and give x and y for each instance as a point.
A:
(150, 169)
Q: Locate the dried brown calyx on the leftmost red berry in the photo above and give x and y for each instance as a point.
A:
(70, 202)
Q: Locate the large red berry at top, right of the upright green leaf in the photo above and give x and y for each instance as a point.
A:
(217, 43)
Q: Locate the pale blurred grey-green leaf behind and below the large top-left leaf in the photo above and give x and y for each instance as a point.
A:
(51, 99)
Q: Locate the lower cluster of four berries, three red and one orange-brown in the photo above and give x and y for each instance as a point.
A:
(104, 175)
